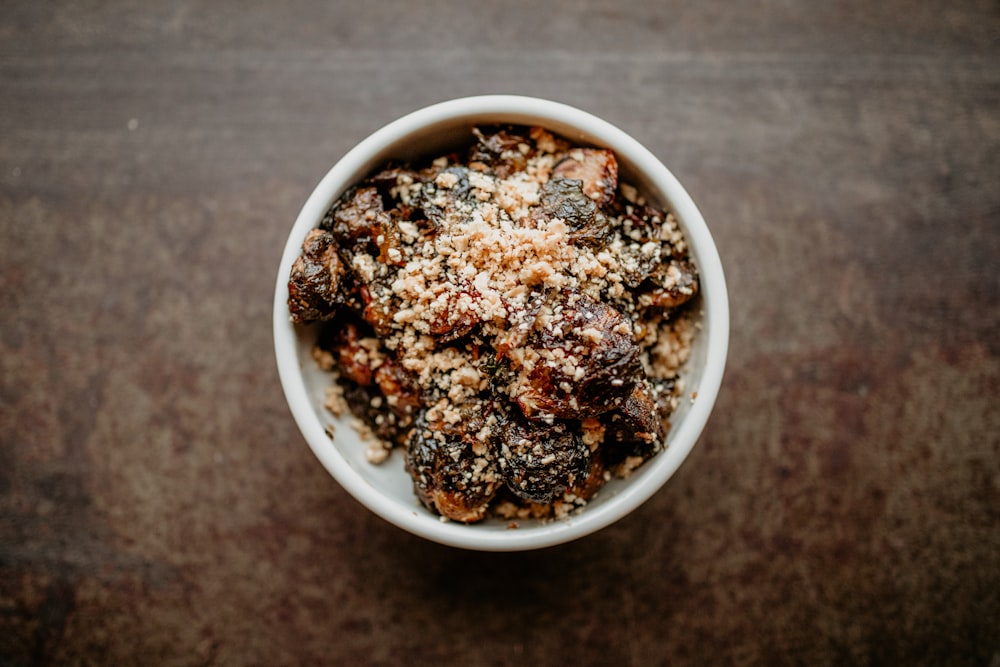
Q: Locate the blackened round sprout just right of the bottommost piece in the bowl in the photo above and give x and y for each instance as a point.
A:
(540, 462)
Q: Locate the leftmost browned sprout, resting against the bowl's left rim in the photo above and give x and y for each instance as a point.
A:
(315, 280)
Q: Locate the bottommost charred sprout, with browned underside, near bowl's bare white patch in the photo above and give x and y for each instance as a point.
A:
(454, 473)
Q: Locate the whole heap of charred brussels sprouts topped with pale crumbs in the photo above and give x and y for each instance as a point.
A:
(513, 317)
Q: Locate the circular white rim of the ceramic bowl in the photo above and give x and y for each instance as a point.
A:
(715, 318)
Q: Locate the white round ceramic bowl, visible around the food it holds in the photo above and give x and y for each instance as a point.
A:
(387, 489)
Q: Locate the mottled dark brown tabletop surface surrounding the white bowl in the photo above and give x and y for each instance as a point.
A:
(158, 505)
